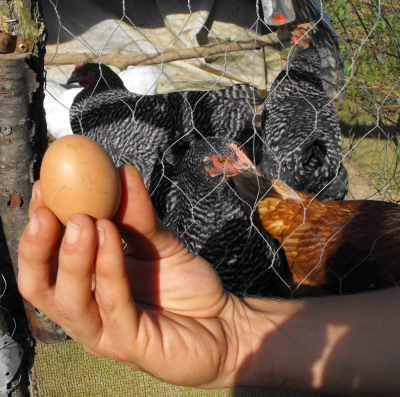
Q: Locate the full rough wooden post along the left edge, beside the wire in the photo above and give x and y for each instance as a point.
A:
(23, 132)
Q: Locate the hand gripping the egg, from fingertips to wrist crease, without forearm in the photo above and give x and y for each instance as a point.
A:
(157, 307)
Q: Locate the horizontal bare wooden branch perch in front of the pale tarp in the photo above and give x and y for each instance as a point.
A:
(122, 61)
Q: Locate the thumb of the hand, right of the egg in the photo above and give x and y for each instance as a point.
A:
(137, 220)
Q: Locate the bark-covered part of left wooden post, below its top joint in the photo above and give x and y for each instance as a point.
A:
(22, 143)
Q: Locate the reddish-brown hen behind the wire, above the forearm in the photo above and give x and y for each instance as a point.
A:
(331, 247)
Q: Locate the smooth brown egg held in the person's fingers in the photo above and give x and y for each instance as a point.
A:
(78, 176)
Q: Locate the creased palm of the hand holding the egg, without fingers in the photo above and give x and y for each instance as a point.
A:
(180, 307)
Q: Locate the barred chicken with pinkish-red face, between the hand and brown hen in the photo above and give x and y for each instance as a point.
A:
(209, 218)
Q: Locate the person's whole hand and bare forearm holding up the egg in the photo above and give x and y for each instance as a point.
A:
(159, 308)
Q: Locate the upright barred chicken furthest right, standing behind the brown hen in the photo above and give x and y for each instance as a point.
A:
(301, 132)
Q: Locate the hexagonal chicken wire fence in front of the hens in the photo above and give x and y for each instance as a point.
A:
(192, 77)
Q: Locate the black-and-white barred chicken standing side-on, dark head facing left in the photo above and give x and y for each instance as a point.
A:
(132, 128)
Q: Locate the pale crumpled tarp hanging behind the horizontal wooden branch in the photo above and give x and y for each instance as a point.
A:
(103, 27)
